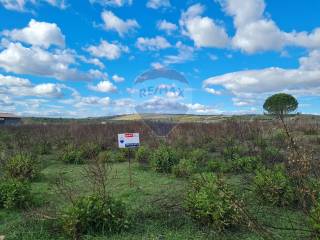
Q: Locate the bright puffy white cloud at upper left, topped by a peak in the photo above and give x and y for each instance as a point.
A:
(38, 34)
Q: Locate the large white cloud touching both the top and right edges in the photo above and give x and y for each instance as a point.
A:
(255, 32)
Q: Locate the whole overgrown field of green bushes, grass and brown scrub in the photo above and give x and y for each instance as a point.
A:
(251, 180)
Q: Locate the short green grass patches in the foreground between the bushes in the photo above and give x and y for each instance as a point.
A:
(150, 203)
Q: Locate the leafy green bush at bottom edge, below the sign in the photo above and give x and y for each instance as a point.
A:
(94, 214)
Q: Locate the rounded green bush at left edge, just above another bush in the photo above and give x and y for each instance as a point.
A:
(22, 167)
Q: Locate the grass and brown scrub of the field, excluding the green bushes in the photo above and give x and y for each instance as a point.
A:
(156, 201)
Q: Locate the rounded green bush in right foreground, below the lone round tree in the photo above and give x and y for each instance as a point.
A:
(274, 186)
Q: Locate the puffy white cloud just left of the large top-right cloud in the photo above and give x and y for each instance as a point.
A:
(204, 31)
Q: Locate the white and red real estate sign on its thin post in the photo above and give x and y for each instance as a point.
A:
(129, 140)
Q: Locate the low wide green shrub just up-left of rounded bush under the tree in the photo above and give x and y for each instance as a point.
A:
(246, 164)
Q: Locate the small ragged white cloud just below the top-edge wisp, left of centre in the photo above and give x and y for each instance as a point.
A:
(114, 23)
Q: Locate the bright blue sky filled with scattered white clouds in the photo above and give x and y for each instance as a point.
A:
(81, 58)
